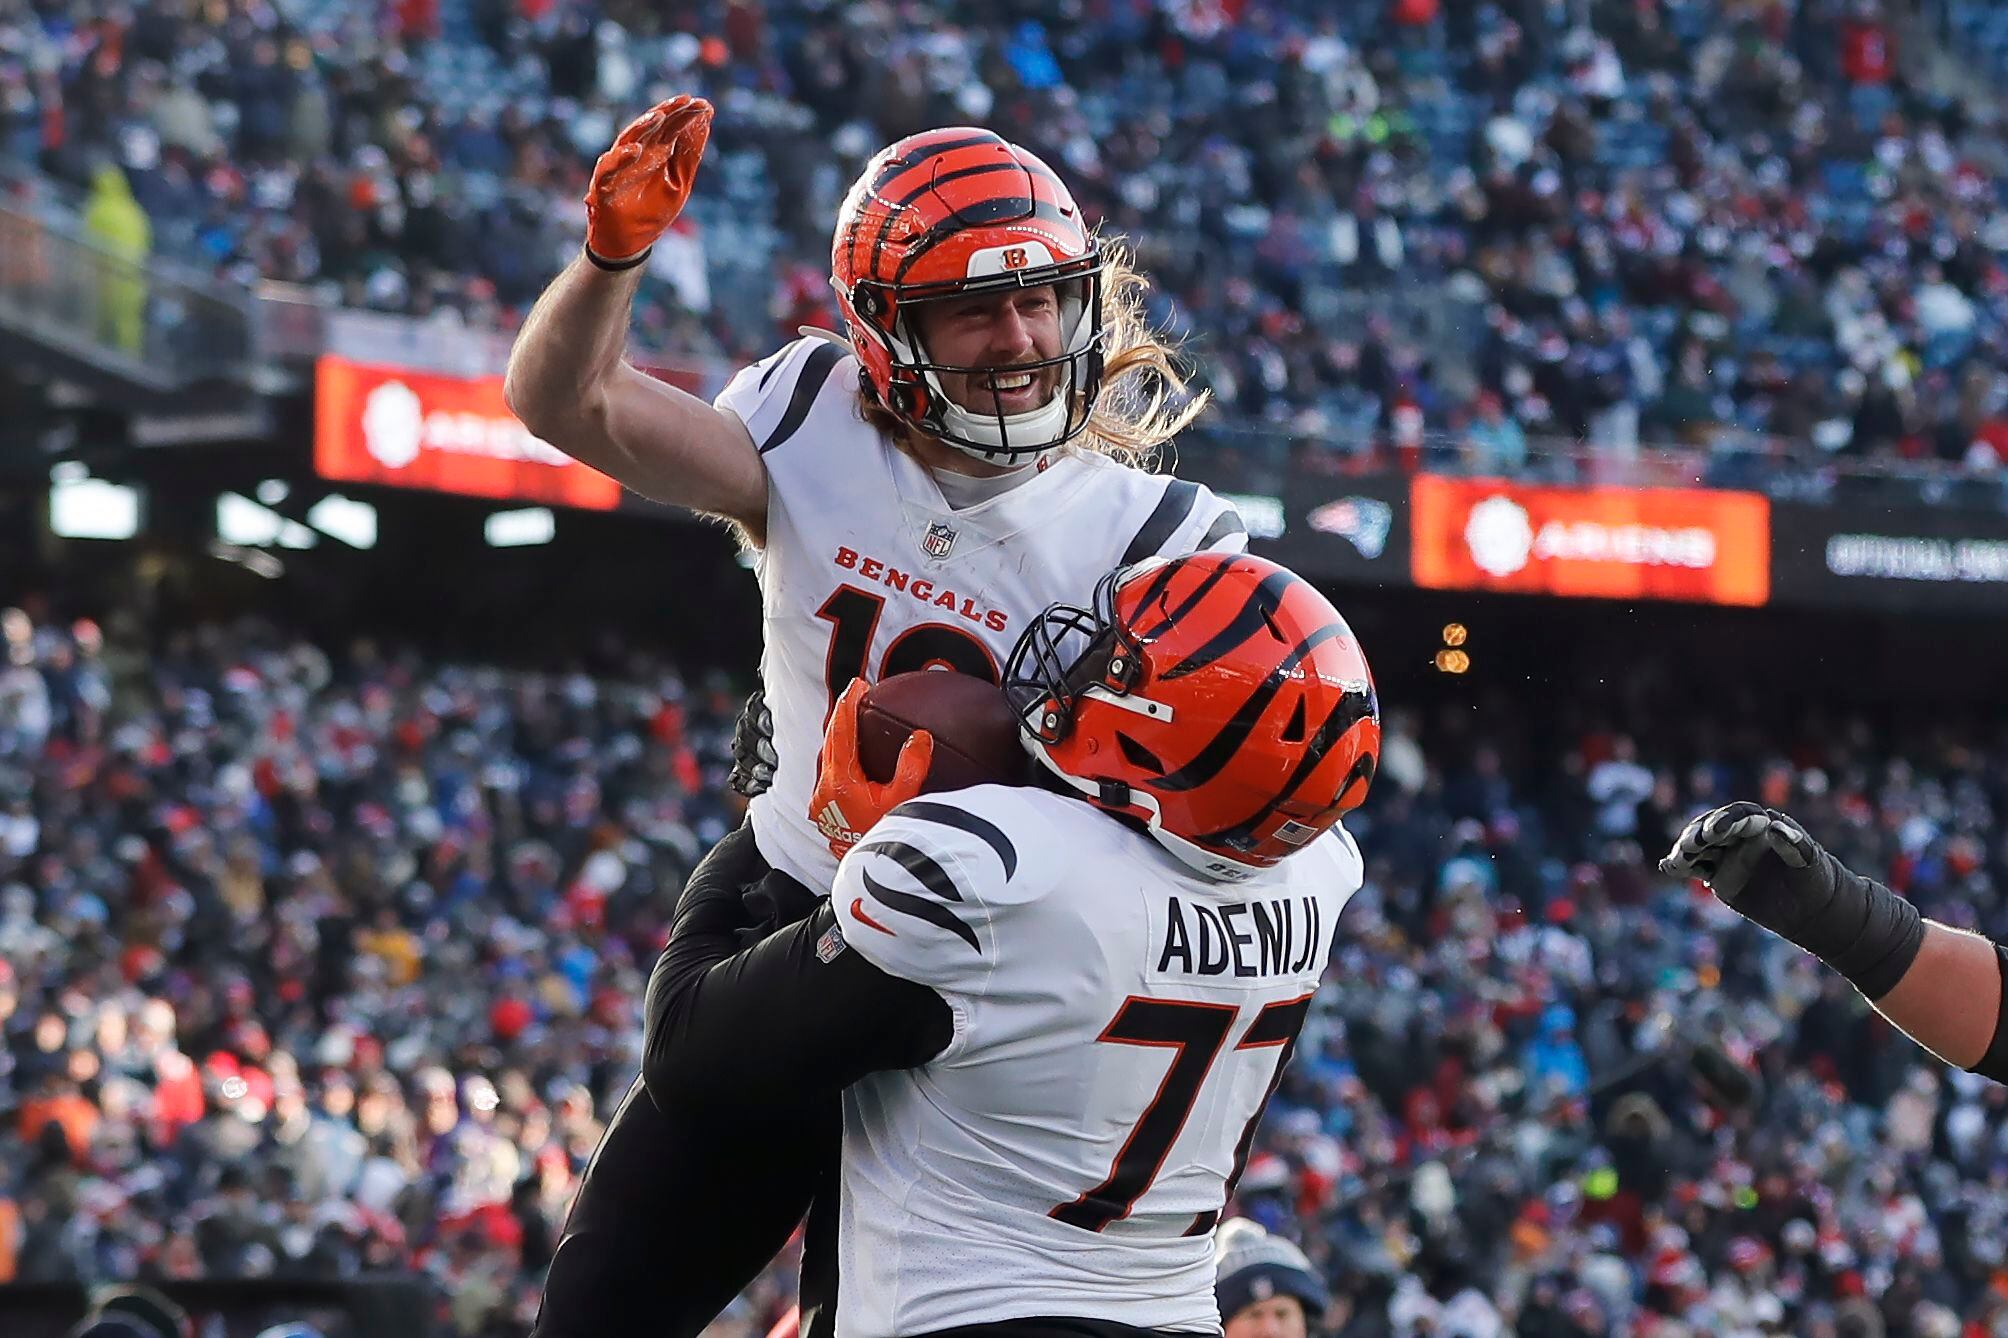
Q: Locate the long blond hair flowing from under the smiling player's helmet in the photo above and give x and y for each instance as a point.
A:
(1144, 391)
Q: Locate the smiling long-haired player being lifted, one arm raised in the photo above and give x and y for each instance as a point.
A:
(917, 495)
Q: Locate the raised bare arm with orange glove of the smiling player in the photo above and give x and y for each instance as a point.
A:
(567, 379)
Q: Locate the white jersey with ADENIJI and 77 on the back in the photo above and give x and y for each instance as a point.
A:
(1119, 1024)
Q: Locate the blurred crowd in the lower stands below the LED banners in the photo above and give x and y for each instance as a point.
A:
(330, 959)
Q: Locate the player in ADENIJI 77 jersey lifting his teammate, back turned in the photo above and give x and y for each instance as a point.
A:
(1057, 1012)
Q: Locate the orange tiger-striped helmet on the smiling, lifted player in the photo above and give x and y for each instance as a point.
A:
(955, 214)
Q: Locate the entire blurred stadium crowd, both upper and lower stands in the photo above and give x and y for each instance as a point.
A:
(322, 955)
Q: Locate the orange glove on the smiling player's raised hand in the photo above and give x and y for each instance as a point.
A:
(644, 180)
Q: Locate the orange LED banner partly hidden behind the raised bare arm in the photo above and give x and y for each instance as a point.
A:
(385, 425)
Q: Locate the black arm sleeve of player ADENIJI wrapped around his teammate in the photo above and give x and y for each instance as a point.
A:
(752, 1034)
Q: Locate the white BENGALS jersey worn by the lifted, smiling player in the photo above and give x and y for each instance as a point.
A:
(868, 572)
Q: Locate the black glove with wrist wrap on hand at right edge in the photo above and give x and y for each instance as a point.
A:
(1764, 867)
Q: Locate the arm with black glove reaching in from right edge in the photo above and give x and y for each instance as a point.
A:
(1941, 985)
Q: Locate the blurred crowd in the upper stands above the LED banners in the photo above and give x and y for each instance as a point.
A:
(1718, 224)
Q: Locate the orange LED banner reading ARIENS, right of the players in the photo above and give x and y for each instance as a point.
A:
(1609, 543)
